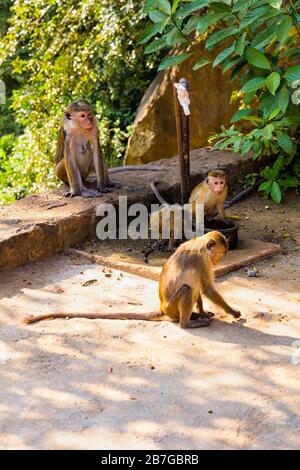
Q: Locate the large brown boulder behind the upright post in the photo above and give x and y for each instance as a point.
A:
(154, 134)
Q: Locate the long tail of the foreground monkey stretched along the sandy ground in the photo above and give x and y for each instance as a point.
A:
(150, 316)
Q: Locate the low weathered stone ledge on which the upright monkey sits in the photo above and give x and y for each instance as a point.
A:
(41, 225)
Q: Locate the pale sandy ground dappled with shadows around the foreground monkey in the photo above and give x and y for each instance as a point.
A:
(110, 384)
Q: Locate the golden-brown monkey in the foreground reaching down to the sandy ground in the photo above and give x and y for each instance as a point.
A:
(186, 275)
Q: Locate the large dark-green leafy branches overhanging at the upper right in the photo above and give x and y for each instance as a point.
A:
(257, 41)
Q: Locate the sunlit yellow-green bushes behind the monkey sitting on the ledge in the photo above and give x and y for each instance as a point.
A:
(56, 51)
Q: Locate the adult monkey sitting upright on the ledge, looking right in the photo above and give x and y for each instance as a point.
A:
(79, 152)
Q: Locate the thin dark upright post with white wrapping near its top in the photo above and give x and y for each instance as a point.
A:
(182, 130)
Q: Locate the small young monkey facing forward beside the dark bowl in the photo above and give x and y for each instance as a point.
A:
(212, 192)
